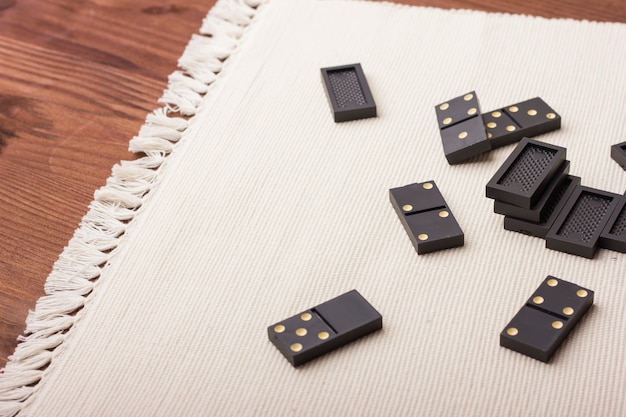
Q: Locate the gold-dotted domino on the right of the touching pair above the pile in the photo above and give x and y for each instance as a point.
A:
(526, 119)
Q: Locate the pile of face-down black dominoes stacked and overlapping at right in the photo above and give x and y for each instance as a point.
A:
(538, 197)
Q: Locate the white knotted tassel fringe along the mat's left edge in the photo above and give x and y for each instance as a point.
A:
(102, 229)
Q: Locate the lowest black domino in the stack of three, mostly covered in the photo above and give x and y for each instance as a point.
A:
(553, 208)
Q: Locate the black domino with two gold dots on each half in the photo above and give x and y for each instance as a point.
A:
(426, 217)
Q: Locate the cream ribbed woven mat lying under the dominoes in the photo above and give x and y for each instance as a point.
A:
(266, 207)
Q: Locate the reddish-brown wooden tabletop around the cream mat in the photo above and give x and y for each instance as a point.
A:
(77, 78)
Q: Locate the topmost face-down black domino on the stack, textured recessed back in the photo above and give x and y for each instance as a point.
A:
(526, 173)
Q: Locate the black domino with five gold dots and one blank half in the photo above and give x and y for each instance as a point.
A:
(325, 327)
